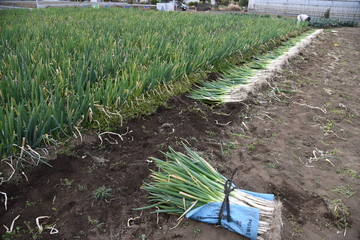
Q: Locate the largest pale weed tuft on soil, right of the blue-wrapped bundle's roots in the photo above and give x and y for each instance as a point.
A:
(340, 213)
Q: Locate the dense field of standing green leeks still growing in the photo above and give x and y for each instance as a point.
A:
(58, 65)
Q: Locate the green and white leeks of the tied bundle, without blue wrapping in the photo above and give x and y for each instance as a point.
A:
(186, 181)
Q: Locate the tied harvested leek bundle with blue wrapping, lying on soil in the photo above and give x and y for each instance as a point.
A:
(186, 183)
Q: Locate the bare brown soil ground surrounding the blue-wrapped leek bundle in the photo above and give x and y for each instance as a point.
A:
(299, 140)
